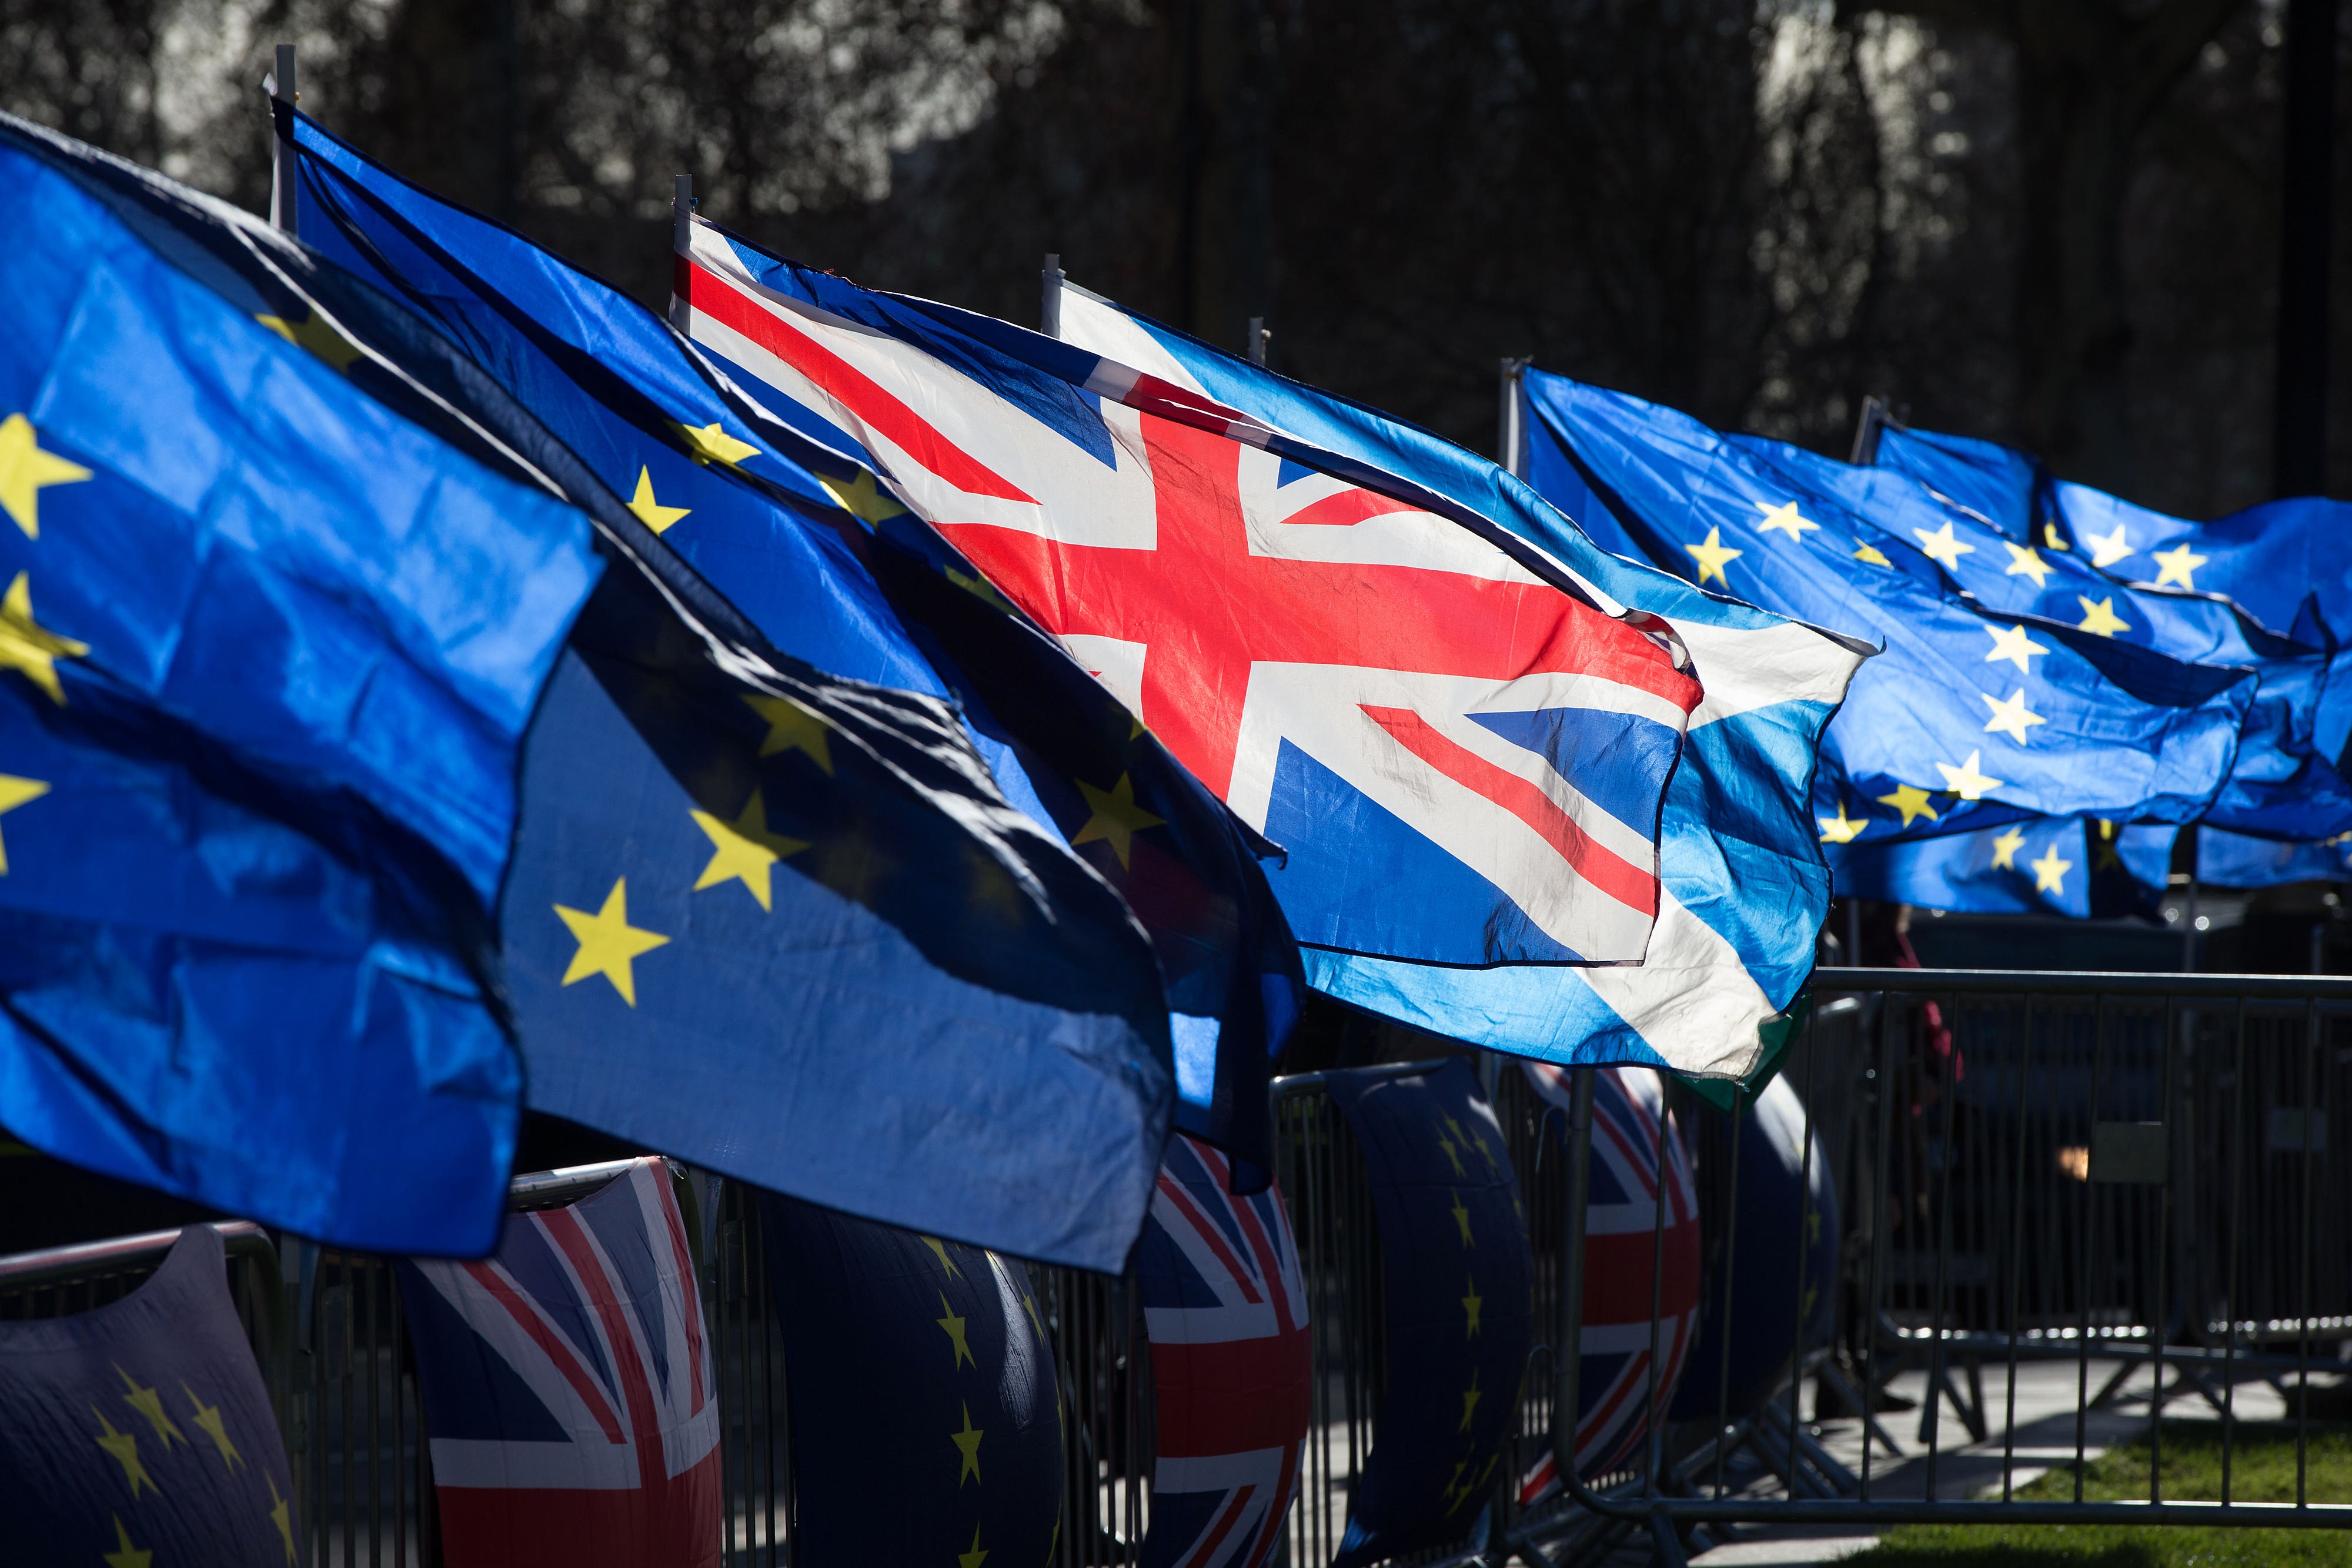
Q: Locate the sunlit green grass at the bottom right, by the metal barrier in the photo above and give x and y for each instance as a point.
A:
(2261, 1470)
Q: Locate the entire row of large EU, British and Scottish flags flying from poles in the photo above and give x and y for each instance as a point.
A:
(918, 765)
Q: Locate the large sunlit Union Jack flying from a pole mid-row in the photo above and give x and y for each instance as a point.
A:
(1391, 695)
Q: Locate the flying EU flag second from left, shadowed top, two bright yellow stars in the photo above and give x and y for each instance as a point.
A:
(756, 916)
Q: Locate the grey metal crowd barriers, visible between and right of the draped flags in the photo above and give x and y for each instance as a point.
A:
(2059, 1195)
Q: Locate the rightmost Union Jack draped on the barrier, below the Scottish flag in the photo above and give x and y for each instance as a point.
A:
(1622, 1219)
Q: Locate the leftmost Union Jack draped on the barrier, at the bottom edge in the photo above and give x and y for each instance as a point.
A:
(568, 1388)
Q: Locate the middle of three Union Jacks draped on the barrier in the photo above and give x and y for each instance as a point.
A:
(1229, 1329)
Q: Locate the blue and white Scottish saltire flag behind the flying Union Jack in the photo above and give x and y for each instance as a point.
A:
(1742, 876)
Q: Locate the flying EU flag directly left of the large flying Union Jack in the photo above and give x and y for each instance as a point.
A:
(730, 490)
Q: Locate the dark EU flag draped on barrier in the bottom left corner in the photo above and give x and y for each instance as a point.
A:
(142, 1433)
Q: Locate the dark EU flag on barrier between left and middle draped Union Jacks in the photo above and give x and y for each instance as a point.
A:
(926, 1405)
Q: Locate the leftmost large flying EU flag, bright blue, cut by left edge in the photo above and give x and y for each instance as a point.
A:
(267, 657)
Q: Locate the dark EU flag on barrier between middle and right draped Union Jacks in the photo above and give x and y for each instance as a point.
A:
(1455, 1282)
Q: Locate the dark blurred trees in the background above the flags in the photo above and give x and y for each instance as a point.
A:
(2052, 222)
